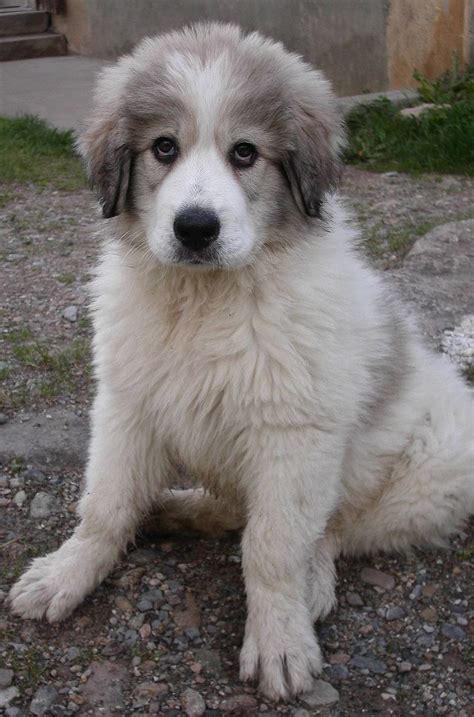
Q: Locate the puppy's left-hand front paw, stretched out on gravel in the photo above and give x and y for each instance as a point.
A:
(52, 587)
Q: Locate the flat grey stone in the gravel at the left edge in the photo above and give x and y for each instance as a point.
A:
(55, 439)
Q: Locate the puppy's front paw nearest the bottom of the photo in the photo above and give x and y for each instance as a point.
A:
(282, 654)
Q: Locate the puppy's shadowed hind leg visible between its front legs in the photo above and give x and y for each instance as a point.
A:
(194, 510)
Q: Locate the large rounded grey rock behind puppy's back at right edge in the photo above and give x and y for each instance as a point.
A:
(436, 277)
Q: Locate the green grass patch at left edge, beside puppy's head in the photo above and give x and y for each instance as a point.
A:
(32, 151)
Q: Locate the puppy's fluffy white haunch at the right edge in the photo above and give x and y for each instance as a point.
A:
(429, 493)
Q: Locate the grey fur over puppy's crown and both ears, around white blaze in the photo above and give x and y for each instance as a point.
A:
(265, 86)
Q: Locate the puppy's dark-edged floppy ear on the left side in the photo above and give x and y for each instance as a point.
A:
(108, 161)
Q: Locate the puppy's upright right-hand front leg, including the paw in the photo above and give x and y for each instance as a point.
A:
(291, 493)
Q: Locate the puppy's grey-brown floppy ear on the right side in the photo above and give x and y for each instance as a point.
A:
(312, 164)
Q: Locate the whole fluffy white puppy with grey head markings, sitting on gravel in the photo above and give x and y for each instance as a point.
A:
(239, 333)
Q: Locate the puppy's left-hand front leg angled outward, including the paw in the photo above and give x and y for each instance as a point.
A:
(123, 475)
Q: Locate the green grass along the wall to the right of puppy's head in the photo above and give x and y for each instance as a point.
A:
(440, 140)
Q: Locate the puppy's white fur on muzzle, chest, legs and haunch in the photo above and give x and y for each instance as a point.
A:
(257, 379)
